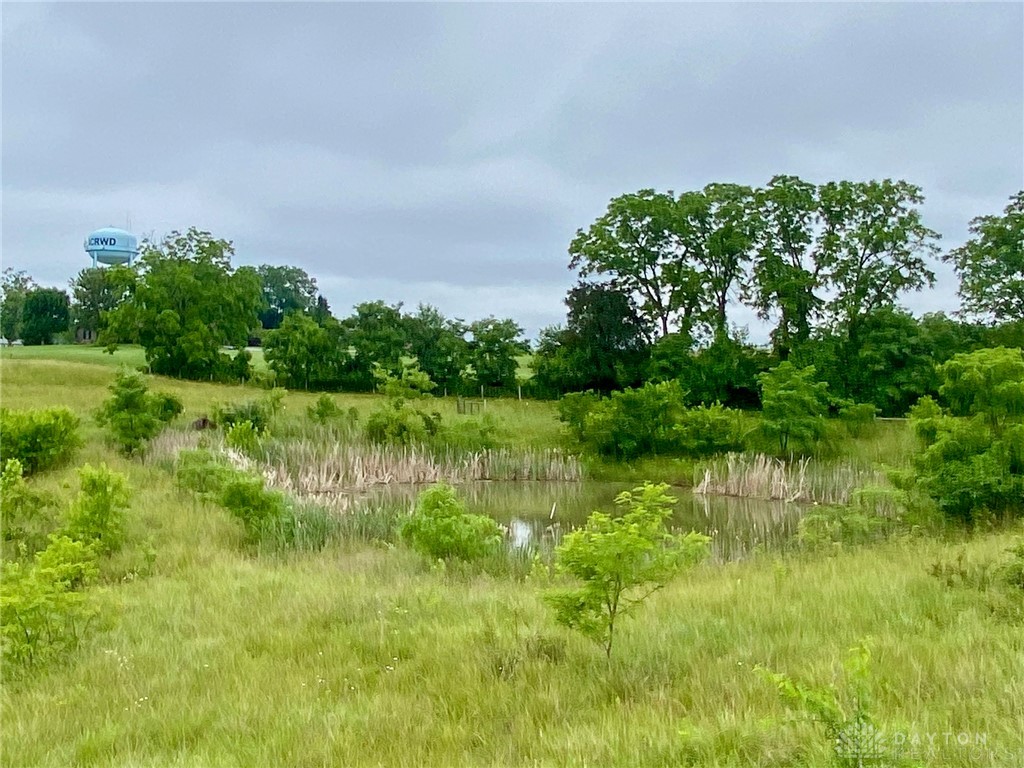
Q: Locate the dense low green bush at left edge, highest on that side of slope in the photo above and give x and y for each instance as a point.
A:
(39, 440)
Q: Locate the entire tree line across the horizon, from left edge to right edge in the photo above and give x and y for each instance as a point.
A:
(661, 275)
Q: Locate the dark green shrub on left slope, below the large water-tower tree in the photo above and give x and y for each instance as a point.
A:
(133, 414)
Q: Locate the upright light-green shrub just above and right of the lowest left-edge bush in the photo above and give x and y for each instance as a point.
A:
(98, 516)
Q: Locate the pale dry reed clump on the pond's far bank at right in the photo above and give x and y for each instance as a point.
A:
(761, 477)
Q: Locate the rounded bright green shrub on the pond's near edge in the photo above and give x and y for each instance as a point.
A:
(441, 528)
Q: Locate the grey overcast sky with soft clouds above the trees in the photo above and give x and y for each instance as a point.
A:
(448, 153)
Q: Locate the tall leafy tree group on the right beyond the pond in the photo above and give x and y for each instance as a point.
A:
(825, 265)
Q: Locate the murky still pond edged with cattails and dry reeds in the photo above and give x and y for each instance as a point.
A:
(537, 515)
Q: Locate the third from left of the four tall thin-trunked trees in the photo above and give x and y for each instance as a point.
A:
(786, 274)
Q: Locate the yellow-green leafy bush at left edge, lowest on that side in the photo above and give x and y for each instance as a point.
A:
(44, 612)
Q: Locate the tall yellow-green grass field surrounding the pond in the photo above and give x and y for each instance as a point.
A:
(367, 656)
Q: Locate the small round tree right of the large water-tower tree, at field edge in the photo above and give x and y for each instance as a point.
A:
(305, 355)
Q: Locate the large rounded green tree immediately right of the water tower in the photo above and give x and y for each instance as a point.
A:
(188, 306)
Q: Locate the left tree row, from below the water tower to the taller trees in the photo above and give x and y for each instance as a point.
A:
(188, 308)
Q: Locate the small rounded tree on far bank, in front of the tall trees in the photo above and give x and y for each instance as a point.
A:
(794, 408)
